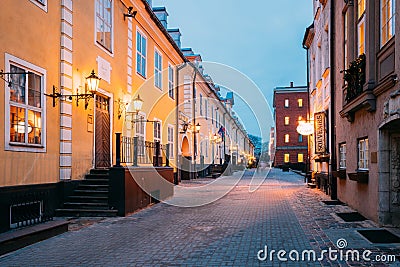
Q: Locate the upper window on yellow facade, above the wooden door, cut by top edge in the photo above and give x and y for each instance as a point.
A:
(104, 23)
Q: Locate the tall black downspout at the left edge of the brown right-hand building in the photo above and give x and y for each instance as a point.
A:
(332, 102)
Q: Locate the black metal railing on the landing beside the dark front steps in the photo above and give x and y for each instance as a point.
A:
(135, 151)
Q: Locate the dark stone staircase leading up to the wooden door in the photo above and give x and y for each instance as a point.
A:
(90, 197)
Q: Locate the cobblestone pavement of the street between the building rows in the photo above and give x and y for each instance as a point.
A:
(281, 214)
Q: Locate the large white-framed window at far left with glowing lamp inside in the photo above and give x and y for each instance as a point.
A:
(25, 115)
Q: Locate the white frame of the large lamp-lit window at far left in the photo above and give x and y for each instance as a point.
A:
(24, 147)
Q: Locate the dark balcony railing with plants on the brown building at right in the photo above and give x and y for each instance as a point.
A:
(354, 77)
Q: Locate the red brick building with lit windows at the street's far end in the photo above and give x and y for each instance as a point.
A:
(290, 107)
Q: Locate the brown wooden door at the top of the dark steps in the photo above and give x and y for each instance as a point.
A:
(102, 132)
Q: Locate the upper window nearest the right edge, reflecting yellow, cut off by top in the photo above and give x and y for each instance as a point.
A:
(387, 20)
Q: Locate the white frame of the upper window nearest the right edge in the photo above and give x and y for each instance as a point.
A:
(390, 22)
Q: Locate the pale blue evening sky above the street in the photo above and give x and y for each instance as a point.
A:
(262, 39)
